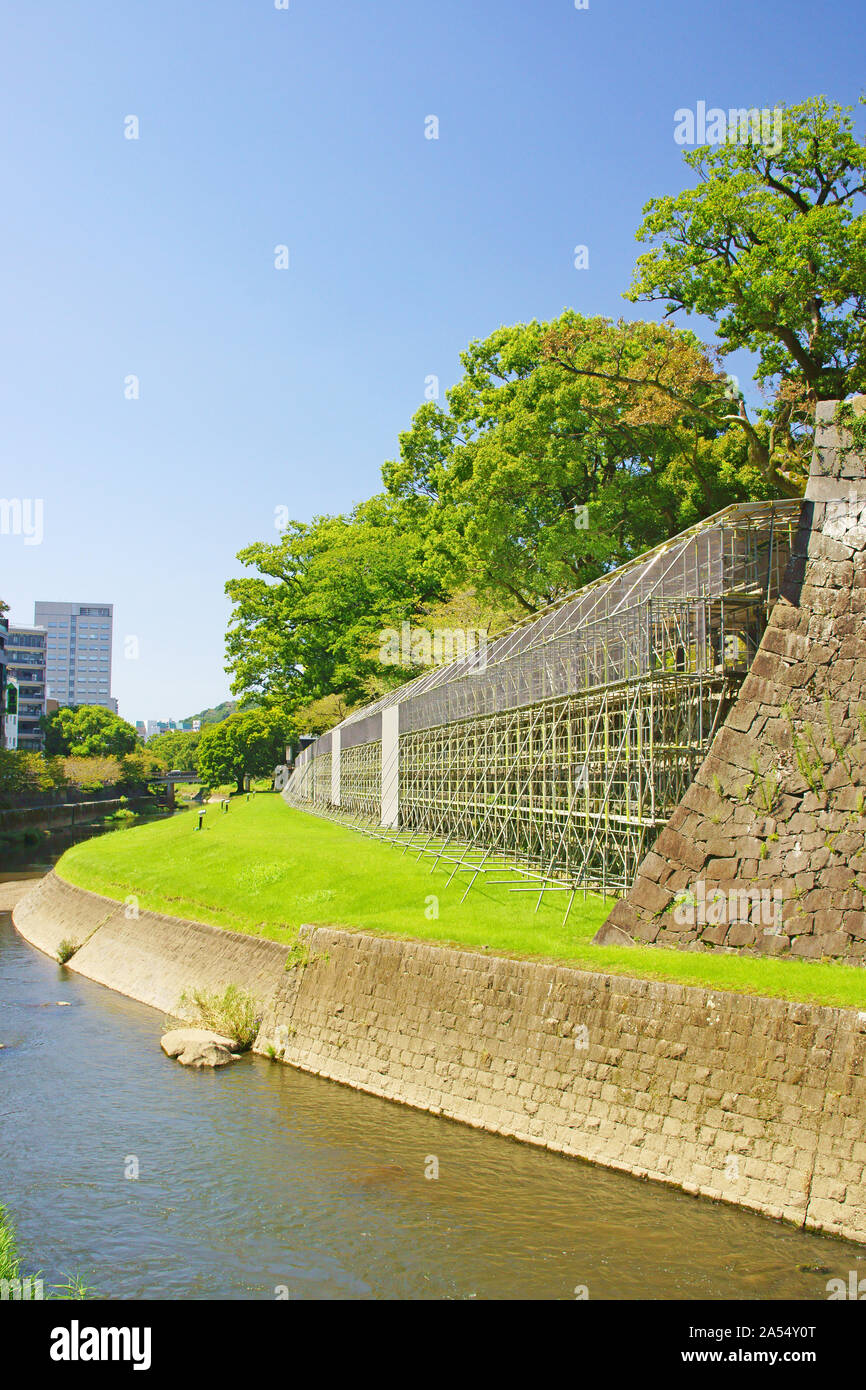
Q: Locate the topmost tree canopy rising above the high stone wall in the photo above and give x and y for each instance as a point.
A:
(772, 248)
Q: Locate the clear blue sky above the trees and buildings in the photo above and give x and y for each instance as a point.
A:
(307, 129)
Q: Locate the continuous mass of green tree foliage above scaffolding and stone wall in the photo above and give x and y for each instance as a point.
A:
(571, 447)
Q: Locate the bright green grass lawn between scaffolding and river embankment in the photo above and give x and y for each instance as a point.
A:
(266, 869)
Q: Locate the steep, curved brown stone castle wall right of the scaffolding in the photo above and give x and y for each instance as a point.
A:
(767, 851)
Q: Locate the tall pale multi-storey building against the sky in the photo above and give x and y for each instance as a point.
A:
(79, 653)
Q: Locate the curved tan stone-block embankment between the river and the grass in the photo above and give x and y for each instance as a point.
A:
(744, 1100)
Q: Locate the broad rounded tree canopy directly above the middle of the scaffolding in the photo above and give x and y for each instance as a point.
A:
(630, 422)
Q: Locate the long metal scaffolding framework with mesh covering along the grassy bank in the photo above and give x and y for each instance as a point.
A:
(562, 753)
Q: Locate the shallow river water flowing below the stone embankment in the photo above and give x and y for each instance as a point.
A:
(261, 1182)
